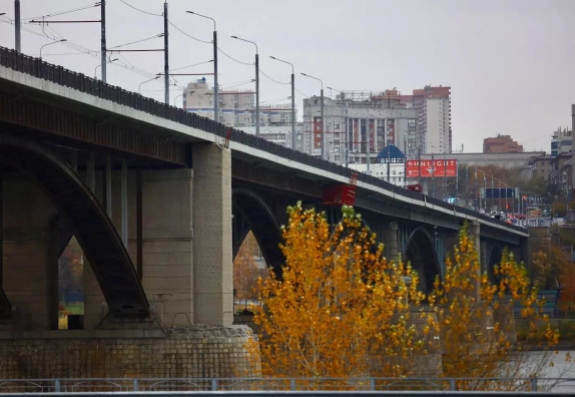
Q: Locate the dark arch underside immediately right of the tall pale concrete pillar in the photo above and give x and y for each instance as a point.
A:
(251, 212)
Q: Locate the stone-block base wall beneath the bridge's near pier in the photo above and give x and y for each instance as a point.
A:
(111, 354)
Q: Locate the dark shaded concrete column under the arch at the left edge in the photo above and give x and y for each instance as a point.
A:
(30, 269)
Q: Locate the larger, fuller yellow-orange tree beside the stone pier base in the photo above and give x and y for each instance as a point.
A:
(337, 303)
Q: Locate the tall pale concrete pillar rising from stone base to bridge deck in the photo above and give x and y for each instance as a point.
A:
(212, 222)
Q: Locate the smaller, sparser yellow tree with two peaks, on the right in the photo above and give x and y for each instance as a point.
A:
(475, 316)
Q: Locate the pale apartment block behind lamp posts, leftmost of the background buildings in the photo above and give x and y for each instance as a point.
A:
(236, 107)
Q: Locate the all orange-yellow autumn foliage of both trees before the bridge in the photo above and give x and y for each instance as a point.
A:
(339, 306)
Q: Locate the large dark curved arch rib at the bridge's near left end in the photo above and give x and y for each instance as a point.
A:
(91, 225)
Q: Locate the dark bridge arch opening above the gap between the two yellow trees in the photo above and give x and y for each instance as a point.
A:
(421, 254)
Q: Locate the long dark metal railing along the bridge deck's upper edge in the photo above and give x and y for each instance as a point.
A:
(78, 81)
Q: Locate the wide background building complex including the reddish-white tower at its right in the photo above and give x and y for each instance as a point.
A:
(417, 123)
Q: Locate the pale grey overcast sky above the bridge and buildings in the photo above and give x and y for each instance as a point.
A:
(511, 64)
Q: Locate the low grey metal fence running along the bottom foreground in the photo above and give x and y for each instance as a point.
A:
(285, 384)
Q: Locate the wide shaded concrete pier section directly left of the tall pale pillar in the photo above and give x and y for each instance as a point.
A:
(167, 242)
